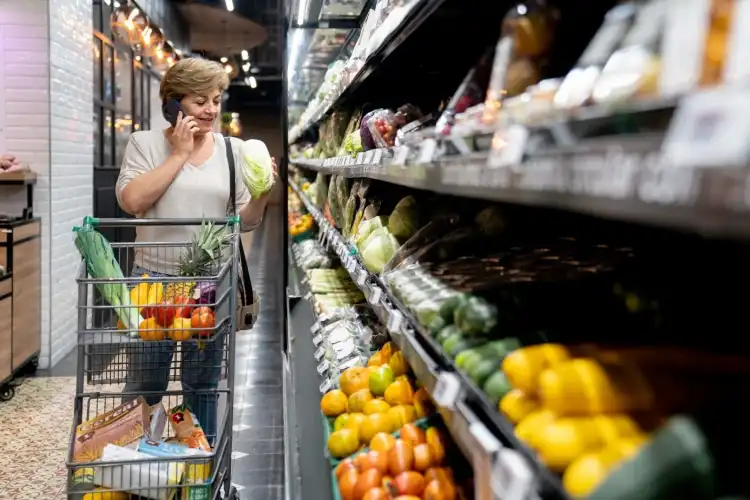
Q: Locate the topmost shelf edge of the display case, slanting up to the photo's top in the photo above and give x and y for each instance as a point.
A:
(413, 19)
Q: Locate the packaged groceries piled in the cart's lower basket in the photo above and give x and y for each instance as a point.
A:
(131, 450)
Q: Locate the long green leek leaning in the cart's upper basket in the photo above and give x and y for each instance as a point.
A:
(101, 264)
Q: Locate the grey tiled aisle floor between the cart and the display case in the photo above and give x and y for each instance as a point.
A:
(258, 465)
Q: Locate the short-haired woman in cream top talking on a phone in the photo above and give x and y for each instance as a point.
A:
(177, 173)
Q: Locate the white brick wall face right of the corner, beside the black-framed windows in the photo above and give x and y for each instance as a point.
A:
(71, 157)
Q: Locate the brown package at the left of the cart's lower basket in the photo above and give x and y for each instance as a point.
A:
(121, 426)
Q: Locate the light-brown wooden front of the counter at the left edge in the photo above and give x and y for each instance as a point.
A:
(20, 294)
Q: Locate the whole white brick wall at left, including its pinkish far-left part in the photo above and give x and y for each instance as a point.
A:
(46, 100)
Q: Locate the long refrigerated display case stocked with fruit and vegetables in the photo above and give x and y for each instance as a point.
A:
(536, 213)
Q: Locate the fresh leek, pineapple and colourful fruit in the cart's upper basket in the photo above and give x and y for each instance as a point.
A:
(177, 309)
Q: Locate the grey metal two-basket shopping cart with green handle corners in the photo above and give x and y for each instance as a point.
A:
(187, 367)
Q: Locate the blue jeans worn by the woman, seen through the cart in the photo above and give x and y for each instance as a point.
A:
(149, 365)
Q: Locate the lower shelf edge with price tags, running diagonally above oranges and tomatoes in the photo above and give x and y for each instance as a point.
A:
(480, 431)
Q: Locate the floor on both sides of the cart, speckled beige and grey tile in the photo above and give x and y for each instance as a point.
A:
(35, 425)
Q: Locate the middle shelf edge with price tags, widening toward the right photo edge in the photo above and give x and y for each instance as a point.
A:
(619, 179)
